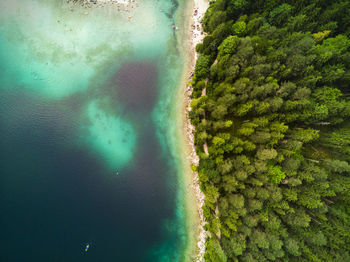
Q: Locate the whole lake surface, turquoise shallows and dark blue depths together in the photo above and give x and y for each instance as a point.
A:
(88, 142)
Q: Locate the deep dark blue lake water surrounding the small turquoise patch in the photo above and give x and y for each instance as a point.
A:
(57, 196)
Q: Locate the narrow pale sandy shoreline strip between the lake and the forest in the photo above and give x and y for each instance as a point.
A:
(196, 36)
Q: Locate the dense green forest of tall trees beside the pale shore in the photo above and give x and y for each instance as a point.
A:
(271, 110)
